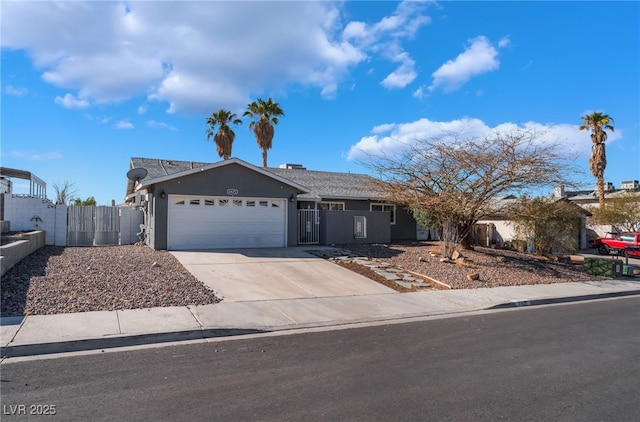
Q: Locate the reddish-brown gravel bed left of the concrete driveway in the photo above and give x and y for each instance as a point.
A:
(57, 280)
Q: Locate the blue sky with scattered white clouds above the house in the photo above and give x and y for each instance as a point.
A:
(88, 85)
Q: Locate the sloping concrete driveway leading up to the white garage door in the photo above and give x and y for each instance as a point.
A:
(238, 275)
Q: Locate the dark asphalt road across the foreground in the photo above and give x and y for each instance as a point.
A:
(572, 362)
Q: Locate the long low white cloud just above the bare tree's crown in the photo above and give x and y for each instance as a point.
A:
(391, 138)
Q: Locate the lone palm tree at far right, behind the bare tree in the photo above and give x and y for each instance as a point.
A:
(597, 122)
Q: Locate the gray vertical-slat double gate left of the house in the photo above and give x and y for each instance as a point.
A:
(89, 226)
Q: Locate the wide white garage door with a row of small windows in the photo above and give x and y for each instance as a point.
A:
(204, 222)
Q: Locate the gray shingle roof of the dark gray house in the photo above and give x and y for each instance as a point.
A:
(320, 184)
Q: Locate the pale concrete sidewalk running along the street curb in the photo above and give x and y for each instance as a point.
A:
(44, 334)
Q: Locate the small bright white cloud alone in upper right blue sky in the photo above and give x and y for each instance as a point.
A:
(478, 58)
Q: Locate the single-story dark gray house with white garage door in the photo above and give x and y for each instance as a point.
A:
(234, 204)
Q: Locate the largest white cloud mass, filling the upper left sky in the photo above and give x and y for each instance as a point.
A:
(198, 56)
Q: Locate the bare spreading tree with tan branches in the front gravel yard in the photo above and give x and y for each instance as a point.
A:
(456, 182)
